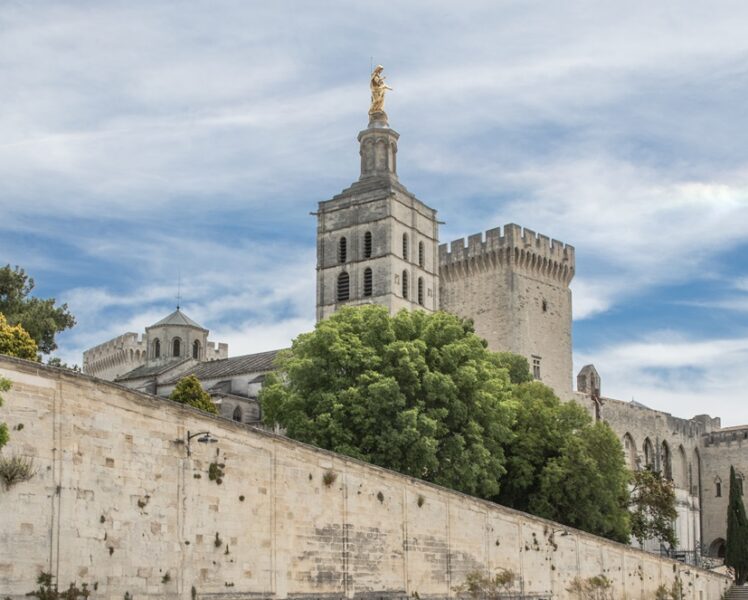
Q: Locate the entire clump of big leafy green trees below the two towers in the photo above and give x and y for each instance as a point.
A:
(420, 393)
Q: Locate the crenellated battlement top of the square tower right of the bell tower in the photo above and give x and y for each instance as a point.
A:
(519, 247)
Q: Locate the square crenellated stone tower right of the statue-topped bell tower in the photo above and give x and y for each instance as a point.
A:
(515, 287)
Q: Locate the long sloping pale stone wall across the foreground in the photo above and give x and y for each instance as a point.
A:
(118, 501)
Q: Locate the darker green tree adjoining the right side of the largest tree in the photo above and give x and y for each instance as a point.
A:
(563, 466)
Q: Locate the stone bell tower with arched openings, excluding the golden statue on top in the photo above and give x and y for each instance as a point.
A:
(376, 242)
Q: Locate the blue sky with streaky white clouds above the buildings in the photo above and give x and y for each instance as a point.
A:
(144, 144)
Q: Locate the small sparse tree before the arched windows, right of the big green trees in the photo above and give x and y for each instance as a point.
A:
(652, 507)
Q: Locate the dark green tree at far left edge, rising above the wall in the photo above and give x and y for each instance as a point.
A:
(39, 317)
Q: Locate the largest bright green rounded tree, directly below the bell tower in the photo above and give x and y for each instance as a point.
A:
(417, 393)
